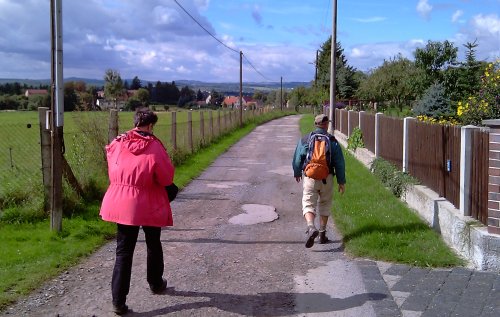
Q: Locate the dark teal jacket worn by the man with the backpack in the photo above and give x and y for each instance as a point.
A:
(337, 163)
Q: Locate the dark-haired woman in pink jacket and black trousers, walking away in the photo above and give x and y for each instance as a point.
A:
(139, 168)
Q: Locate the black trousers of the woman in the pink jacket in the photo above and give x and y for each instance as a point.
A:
(126, 240)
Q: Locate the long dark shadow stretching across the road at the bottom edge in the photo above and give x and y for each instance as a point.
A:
(263, 304)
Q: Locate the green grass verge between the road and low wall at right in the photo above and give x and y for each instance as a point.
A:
(376, 224)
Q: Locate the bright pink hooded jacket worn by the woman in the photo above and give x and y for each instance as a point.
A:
(139, 168)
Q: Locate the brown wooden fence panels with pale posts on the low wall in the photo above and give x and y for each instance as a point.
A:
(433, 155)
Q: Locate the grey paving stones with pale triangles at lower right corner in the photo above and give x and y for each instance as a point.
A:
(420, 292)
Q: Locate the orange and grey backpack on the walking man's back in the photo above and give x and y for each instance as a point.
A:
(317, 161)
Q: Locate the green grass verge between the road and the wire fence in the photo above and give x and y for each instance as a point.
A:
(31, 254)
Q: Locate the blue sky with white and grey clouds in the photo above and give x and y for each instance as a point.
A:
(157, 39)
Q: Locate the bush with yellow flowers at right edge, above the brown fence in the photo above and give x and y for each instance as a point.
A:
(485, 104)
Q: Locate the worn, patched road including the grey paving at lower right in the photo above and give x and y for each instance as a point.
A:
(220, 262)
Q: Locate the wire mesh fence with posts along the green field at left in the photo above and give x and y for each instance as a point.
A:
(86, 134)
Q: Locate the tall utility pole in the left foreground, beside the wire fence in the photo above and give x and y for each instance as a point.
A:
(56, 122)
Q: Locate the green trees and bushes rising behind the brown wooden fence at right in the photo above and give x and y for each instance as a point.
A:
(434, 87)
